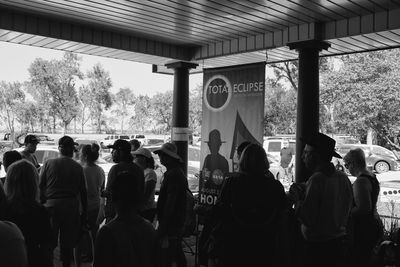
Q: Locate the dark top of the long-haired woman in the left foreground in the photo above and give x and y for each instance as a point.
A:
(34, 223)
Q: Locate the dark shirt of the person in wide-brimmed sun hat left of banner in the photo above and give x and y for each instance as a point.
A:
(174, 184)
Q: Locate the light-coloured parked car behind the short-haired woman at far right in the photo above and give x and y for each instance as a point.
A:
(378, 158)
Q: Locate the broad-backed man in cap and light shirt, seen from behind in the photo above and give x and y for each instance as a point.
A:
(62, 185)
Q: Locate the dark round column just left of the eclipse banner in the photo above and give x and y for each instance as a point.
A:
(180, 106)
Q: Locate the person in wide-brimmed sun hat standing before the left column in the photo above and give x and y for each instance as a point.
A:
(171, 206)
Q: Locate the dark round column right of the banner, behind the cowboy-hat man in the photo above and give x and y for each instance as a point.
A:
(307, 98)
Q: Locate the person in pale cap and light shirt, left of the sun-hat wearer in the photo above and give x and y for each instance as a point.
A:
(143, 158)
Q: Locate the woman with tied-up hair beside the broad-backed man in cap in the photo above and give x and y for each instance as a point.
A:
(95, 179)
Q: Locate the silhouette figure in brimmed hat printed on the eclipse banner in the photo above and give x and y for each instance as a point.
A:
(215, 165)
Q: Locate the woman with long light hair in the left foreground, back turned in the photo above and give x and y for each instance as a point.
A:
(21, 188)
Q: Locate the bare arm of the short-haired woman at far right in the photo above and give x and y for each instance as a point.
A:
(362, 197)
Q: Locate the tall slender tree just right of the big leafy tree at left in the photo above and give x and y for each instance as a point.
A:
(99, 86)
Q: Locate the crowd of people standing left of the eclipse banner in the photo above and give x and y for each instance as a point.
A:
(66, 199)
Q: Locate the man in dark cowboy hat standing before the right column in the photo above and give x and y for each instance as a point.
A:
(323, 204)
